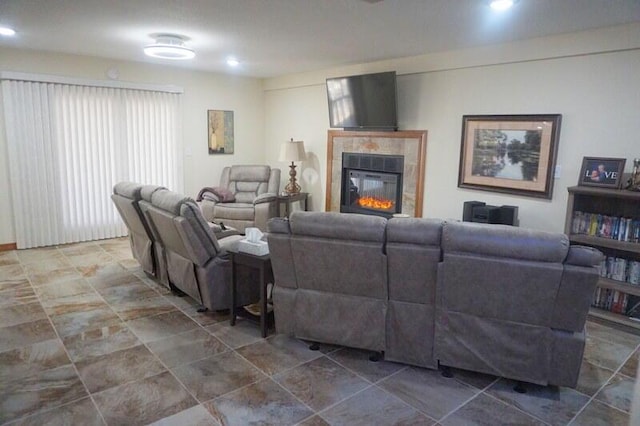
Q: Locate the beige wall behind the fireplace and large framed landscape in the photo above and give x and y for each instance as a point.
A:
(590, 78)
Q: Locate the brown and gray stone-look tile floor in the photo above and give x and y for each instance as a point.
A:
(87, 339)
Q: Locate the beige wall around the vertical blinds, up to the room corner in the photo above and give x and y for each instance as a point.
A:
(202, 91)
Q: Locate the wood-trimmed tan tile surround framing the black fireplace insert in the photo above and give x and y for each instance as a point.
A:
(412, 144)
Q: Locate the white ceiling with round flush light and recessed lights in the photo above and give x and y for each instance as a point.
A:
(277, 37)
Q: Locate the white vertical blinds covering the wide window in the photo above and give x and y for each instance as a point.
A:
(69, 144)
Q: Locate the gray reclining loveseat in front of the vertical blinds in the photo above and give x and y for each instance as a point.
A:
(175, 244)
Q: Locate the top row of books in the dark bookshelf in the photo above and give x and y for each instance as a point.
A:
(598, 225)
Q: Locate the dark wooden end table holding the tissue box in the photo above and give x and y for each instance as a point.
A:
(263, 265)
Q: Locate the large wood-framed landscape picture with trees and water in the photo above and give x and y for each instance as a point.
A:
(512, 154)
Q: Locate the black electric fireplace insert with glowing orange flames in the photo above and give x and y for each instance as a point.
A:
(371, 184)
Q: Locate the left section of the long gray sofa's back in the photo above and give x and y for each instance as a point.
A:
(341, 294)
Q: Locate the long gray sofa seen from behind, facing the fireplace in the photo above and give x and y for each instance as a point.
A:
(495, 299)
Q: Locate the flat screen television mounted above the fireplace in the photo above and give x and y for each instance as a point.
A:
(363, 102)
